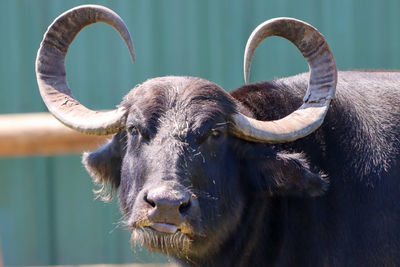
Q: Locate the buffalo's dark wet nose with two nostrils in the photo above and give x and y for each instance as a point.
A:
(168, 205)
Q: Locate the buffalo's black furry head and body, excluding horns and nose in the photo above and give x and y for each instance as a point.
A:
(329, 199)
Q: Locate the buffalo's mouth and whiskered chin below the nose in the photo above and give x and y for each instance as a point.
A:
(167, 238)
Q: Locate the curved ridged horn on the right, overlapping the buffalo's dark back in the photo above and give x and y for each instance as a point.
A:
(321, 87)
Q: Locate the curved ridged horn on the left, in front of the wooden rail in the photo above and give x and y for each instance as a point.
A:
(51, 75)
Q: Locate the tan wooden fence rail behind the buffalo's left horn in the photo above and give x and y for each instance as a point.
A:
(41, 134)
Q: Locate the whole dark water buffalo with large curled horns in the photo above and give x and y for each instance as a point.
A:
(273, 174)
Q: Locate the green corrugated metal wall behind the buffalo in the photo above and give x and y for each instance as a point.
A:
(48, 214)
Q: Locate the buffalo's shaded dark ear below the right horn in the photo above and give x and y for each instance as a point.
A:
(290, 174)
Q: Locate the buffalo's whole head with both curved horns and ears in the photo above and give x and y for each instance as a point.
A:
(186, 156)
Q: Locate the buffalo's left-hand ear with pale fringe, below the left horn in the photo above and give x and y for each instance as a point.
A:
(104, 165)
